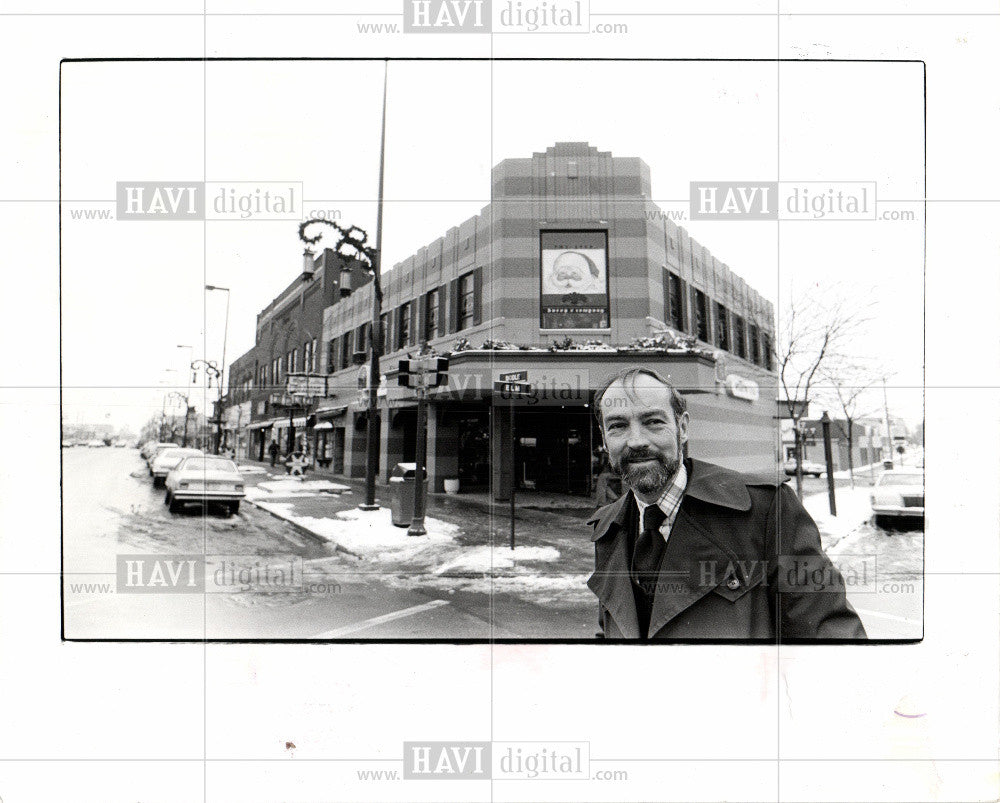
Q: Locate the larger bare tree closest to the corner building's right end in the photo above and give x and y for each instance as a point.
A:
(816, 333)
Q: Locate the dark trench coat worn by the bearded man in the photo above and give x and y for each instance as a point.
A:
(743, 561)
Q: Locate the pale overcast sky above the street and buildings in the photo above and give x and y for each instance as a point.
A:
(132, 291)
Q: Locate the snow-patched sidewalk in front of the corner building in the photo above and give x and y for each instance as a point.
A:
(467, 545)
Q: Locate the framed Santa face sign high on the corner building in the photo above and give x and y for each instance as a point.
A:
(574, 280)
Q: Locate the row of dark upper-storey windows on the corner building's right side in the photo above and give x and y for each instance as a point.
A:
(731, 332)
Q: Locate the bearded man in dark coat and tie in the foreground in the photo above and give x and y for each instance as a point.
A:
(692, 550)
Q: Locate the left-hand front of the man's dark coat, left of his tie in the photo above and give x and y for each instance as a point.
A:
(610, 580)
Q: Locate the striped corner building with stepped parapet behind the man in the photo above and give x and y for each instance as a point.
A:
(566, 276)
